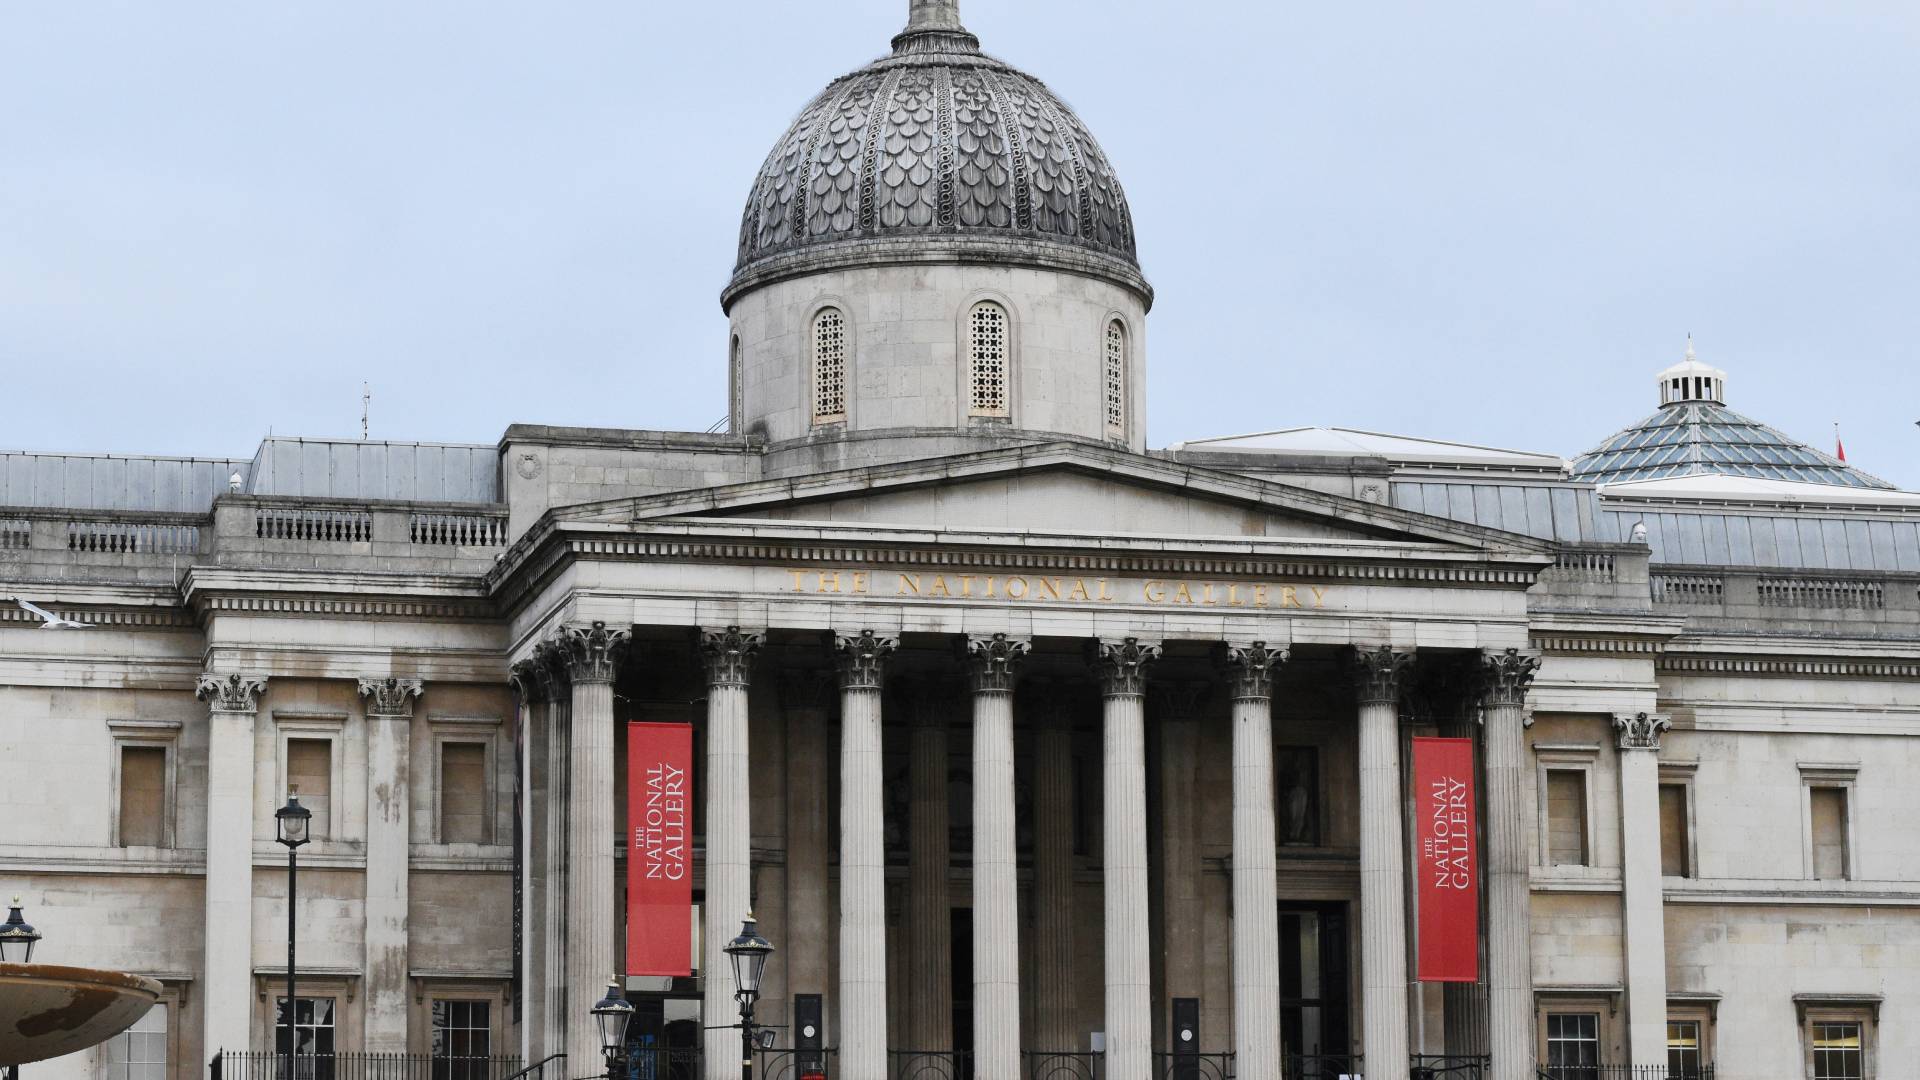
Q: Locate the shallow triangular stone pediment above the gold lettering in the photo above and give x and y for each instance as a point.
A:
(1061, 489)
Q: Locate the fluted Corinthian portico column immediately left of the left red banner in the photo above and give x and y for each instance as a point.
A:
(592, 658)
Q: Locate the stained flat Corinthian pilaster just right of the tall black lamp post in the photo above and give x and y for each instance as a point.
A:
(389, 814)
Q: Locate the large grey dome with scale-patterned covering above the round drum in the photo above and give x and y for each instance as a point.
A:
(936, 153)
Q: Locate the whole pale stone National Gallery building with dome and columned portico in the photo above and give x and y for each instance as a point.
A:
(1040, 754)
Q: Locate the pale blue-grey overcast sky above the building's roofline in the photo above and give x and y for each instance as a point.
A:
(1489, 222)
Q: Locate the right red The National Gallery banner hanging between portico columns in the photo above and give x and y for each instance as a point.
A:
(1447, 860)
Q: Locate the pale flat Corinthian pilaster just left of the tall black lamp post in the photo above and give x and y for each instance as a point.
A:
(229, 933)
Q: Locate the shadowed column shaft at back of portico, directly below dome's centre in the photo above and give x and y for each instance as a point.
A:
(930, 923)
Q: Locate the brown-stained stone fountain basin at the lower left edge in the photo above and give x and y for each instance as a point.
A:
(51, 1010)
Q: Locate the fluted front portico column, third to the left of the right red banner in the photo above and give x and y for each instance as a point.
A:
(1130, 994)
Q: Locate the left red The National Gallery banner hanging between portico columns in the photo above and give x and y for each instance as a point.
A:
(660, 850)
